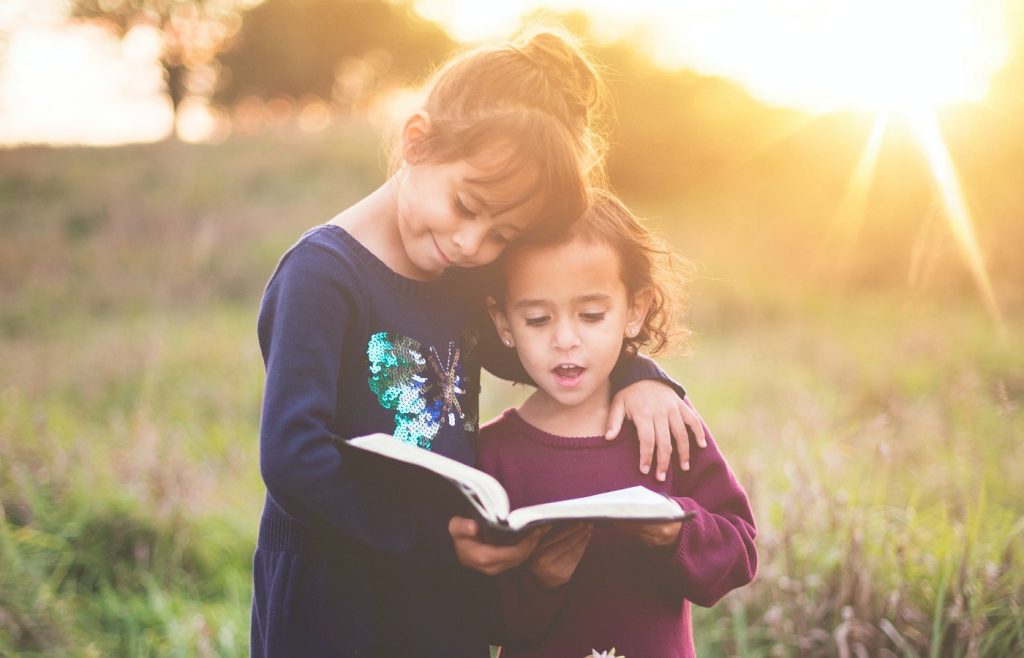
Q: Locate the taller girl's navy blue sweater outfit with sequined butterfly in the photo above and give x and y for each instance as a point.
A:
(350, 565)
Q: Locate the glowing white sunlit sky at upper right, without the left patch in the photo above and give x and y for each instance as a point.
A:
(816, 56)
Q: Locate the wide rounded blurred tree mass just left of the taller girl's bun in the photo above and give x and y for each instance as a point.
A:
(339, 51)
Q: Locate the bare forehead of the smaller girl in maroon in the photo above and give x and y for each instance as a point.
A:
(563, 272)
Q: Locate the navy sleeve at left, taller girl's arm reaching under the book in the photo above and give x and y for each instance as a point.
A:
(309, 311)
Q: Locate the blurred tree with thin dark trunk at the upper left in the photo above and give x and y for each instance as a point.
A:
(193, 31)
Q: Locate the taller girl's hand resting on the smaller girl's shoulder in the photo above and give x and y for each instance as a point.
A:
(660, 415)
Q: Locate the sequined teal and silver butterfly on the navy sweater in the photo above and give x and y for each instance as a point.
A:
(426, 388)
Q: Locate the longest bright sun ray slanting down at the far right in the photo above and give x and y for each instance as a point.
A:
(926, 128)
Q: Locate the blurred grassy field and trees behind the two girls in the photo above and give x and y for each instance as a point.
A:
(863, 391)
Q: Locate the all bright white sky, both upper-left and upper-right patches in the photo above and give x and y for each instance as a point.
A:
(81, 85)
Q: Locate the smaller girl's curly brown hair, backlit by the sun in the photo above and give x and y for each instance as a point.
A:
(646, 262)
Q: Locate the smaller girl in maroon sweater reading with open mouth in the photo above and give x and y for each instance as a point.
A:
(627, 587)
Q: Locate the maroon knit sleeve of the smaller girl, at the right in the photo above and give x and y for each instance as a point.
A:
(716, 550)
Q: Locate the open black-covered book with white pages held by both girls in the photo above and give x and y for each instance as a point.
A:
(491, 502)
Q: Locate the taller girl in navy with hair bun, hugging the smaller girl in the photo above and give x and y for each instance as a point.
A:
(368, 326)
